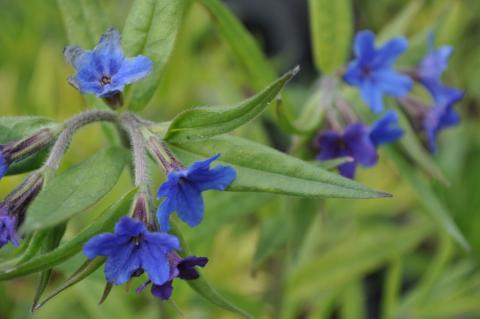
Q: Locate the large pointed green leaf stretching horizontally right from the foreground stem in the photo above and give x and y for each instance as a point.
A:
(263, 169)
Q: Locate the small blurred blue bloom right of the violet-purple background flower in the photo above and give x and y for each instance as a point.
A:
(386, 130)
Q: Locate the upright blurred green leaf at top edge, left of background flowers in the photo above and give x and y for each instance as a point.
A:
(331, 28)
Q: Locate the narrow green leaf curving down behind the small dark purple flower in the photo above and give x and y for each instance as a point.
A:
(201, 285)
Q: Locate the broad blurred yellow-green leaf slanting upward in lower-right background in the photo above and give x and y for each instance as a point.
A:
(358, 254)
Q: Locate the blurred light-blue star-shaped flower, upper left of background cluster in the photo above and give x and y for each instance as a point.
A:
(372, 70)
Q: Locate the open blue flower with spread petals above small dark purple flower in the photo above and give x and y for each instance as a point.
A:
(131, 250)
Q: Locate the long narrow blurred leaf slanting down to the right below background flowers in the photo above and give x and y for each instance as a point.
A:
(428, 198)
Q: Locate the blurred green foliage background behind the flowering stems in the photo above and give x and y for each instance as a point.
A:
(343, 258)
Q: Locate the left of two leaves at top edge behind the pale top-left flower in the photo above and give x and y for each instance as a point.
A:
(84, 21)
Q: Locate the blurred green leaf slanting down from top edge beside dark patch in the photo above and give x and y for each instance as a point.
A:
(242, 43)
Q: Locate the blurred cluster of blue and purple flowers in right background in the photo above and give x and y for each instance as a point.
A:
(373, 72)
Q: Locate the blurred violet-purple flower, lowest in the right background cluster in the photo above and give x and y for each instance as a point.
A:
(354, 142)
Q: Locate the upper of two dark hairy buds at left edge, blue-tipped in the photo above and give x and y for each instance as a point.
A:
(17, 150)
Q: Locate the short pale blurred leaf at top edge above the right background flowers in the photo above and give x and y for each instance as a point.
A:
(400, 23)
